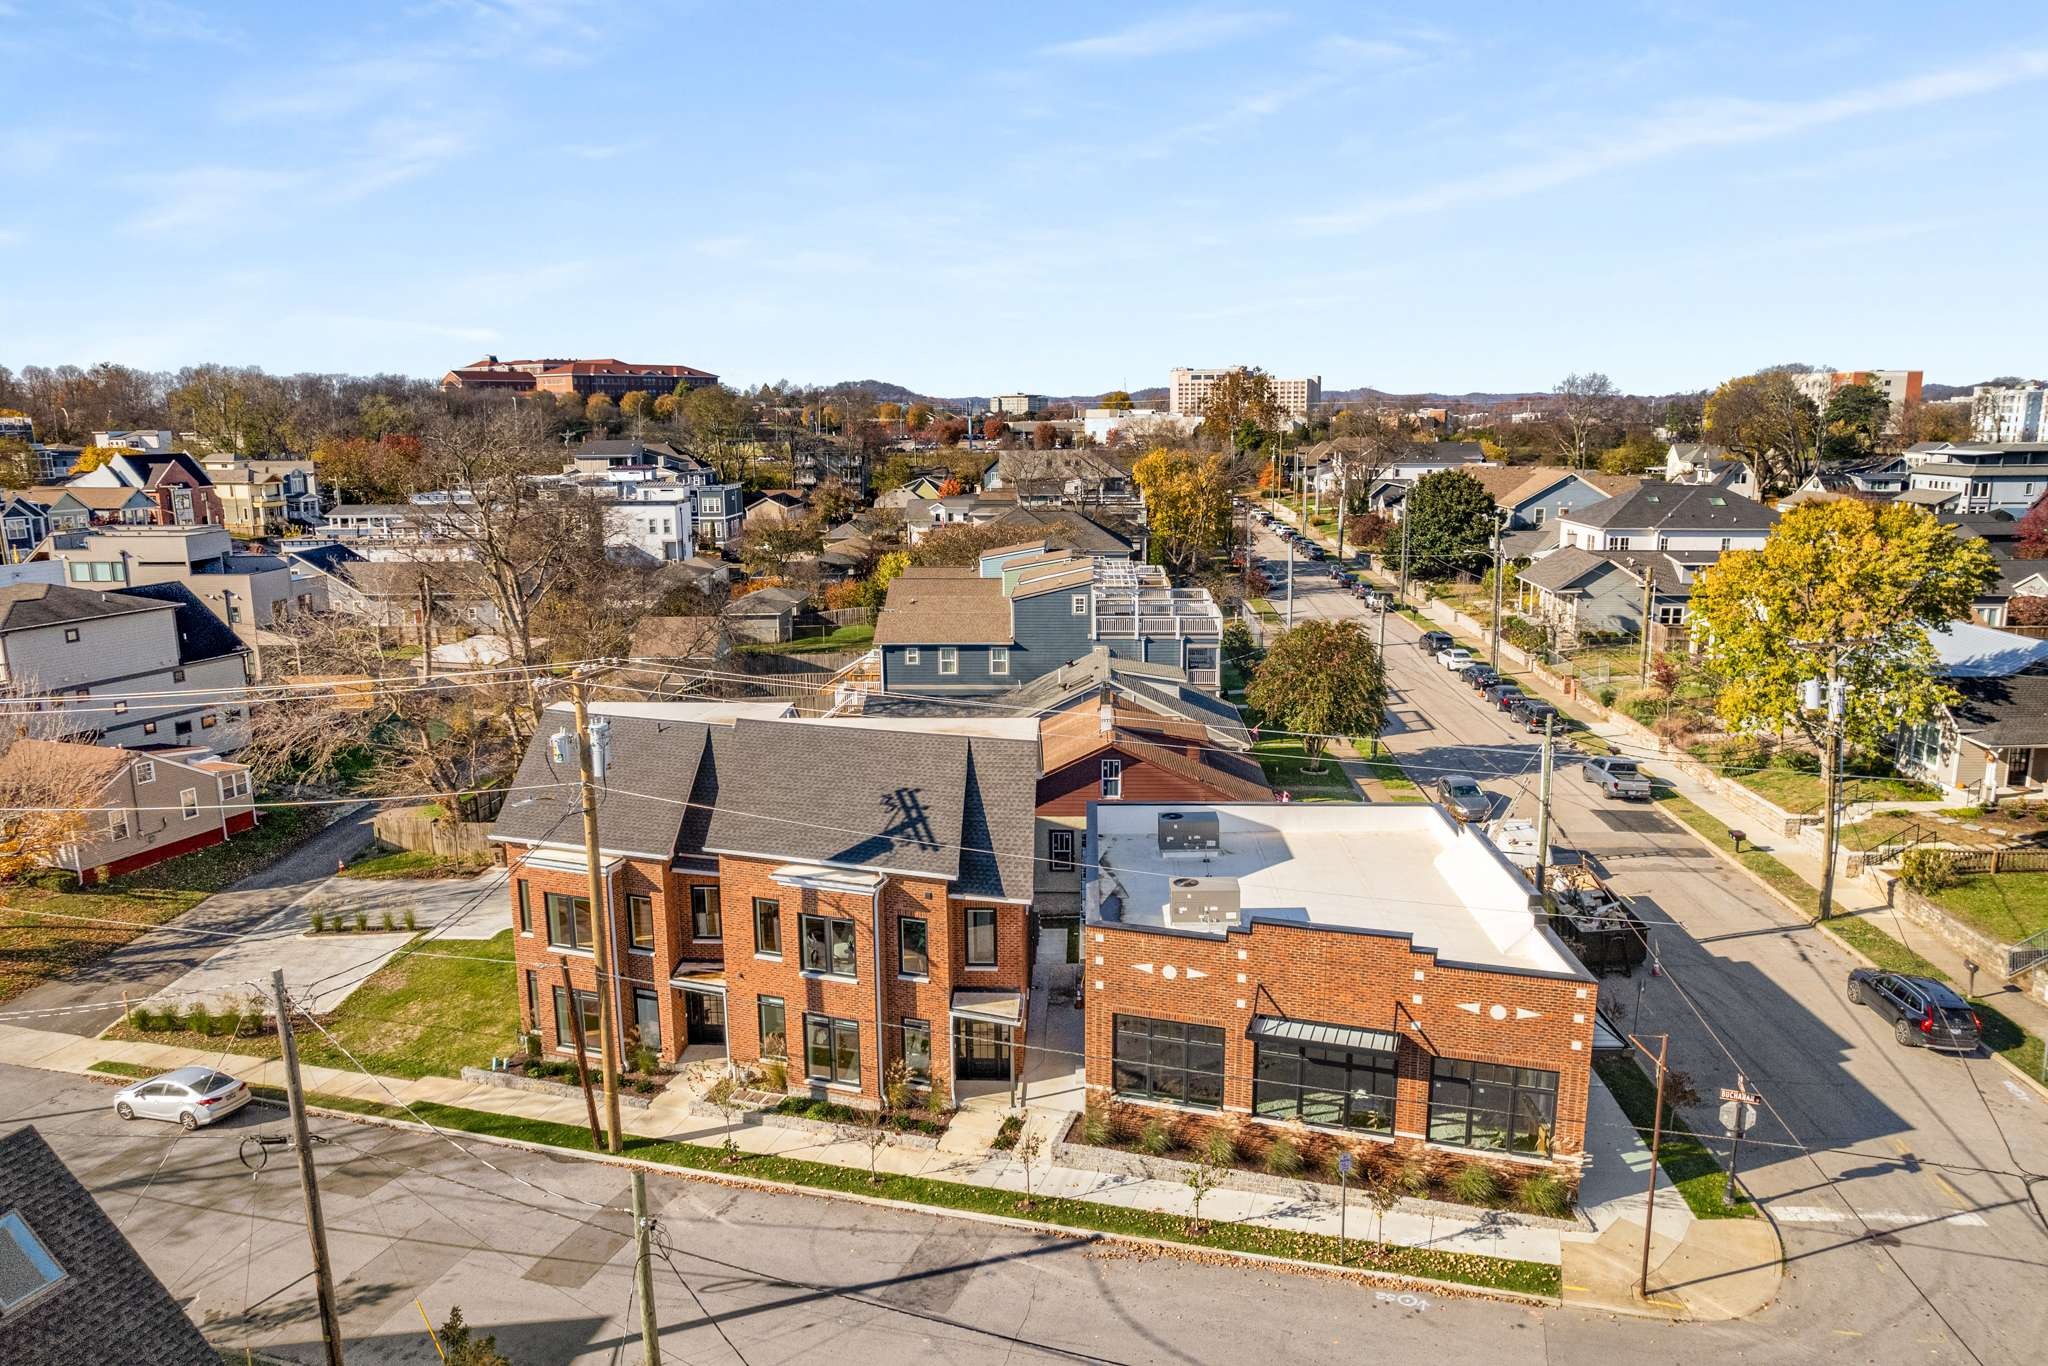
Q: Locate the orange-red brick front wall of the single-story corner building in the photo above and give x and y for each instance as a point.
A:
(1353, 980)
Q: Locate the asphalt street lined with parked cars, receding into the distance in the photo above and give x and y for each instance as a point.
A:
(1897, 1177)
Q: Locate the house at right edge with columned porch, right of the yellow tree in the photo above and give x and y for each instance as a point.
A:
(1994, 740)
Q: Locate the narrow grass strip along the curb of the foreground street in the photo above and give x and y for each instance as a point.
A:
(1078, 1215)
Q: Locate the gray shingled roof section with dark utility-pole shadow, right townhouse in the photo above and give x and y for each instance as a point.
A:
(927, 806)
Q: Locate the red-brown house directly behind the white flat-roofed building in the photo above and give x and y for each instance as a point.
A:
(1111, 753)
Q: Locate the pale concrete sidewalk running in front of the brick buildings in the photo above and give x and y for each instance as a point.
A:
(1617, 1168)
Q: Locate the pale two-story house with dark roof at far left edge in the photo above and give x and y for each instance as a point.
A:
(146, 667)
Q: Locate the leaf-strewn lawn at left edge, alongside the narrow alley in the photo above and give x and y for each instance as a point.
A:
(48, 935)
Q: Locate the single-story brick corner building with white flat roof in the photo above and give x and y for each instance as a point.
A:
(1377, 970)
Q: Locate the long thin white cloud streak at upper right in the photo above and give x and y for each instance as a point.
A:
(1693, 128)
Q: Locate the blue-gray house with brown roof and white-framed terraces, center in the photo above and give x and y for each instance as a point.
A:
(1027, 611)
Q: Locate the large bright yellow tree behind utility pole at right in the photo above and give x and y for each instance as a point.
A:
(1842, 591)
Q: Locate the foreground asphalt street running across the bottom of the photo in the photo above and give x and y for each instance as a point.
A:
(538, 1250)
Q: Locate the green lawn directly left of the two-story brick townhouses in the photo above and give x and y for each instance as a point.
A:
(423, 1015)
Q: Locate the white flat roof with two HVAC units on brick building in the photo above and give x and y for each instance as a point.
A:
(1394, 869)
